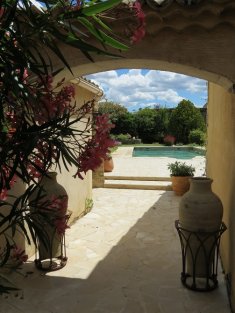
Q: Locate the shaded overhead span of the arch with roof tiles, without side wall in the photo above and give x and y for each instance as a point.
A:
(197, 40)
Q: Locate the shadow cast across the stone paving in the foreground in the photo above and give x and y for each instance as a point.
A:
(140, 274)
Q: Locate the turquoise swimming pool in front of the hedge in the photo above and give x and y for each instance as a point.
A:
(184, 153)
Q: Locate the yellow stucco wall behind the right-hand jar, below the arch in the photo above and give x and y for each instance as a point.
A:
(221, 168)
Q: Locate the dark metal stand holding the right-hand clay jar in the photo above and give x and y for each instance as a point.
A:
(200, 252)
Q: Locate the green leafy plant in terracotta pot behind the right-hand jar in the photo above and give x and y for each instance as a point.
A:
(180, 173)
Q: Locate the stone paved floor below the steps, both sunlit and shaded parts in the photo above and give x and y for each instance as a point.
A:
(123, 257)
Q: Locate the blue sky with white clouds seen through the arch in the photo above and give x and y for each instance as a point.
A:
(139, 88)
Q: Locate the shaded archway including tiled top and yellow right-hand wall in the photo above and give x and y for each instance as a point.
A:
(197, 40)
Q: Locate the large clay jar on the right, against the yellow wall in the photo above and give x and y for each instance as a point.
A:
(200, 211)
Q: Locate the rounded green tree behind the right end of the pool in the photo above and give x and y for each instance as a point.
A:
(185, 118)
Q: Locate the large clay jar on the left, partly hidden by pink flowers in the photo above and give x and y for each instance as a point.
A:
(50, 192)
